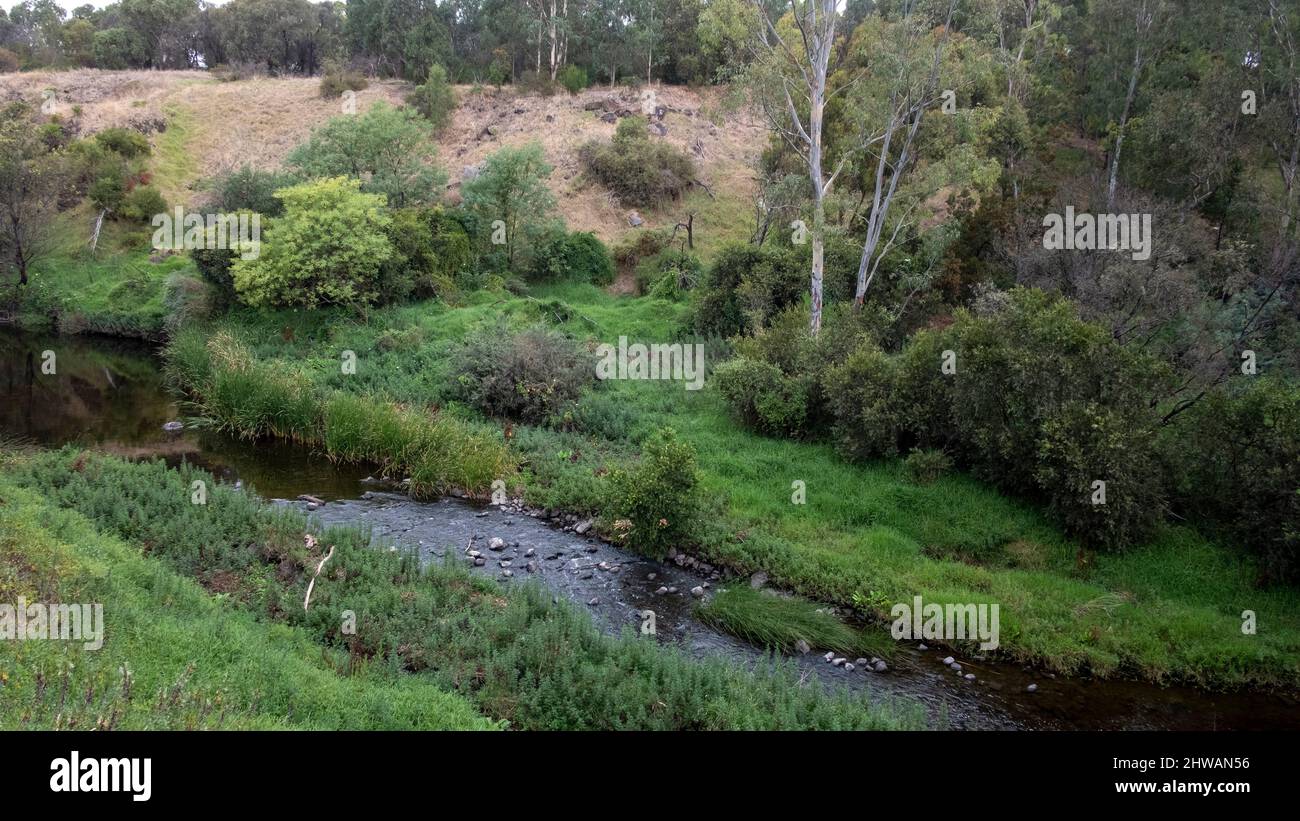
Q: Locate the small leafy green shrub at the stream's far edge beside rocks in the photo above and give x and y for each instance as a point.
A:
(653, 507)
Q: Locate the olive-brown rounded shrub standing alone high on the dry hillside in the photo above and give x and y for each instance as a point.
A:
(640, 171)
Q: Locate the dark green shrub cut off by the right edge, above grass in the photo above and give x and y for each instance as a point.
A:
(1236, 461)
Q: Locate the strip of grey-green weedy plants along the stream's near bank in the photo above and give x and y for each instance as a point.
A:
(515, 655)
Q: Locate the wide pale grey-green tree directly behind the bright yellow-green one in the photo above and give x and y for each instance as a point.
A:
(385, 149)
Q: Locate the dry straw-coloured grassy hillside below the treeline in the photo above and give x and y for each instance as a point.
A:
(202, 127)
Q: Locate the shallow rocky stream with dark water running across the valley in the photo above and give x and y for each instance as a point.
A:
(110, 396)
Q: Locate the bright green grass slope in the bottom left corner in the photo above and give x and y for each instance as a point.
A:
(174, 655)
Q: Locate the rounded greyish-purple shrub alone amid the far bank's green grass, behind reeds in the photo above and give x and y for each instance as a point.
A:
(525, 376)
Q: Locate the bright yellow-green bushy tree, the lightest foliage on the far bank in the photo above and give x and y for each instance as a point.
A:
(327, 250)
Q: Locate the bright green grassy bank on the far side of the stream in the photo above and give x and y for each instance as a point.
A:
(865, 538)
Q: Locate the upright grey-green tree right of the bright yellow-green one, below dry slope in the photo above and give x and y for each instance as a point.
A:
(510, 196)
